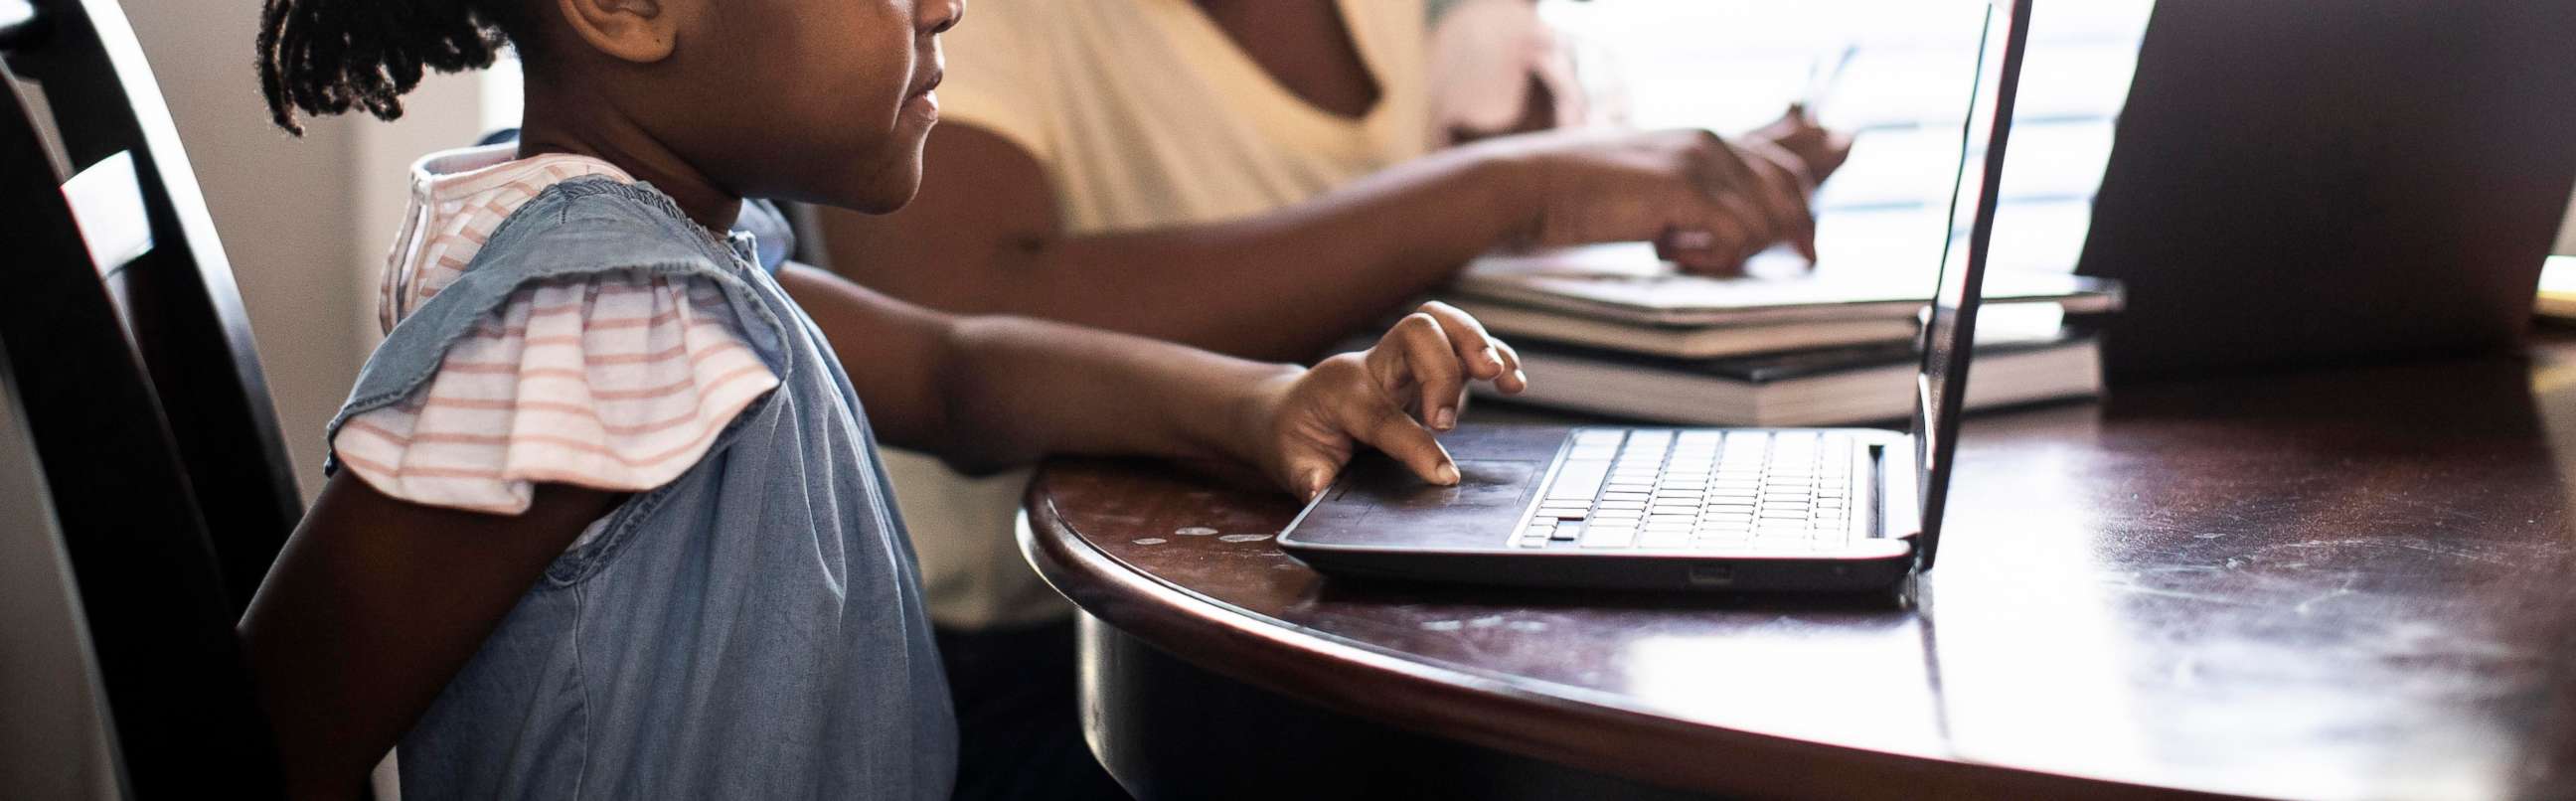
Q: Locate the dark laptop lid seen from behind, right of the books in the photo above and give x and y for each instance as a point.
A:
(2304, 189)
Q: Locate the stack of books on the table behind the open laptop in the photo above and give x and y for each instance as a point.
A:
(1609, 331)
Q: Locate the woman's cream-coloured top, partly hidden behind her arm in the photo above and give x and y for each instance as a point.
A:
(1142, 115)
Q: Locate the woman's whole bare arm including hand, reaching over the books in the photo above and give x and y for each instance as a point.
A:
(985, 238)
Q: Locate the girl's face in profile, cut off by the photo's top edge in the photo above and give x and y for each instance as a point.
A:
(820, 102)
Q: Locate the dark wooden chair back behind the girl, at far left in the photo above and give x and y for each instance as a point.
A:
(130, 354)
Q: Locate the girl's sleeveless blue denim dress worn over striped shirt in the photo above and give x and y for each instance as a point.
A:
(751, 630)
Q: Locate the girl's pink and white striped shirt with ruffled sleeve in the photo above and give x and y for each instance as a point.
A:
(614, 382)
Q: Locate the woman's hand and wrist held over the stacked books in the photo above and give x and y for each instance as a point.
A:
(1709, 205)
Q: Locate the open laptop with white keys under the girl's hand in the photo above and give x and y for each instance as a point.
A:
(1699, 509)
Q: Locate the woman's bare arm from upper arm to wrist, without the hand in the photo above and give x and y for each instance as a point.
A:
(983, 238)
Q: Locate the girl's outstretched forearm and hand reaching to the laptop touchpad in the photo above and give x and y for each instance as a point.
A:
(990, 393)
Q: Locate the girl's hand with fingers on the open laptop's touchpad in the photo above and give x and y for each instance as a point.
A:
(1387, 398)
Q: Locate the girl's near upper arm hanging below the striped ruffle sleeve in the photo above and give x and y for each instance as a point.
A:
(372, 609)
